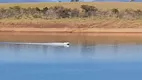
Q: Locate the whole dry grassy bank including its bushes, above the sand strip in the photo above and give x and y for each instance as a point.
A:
(78, 14)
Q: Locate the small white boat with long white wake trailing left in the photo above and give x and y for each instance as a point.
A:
(65, 44)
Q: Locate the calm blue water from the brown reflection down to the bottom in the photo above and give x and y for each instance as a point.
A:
(77, 62)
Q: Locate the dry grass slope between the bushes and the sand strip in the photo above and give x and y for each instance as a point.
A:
(72, 23)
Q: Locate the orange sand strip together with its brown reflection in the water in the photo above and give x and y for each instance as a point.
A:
(76, 36)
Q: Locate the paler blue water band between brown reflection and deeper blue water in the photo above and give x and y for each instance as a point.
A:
(100, 52)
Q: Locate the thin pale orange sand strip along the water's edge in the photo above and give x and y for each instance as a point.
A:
(74, 30)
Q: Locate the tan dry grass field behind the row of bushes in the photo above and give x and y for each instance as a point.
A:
(99, 5)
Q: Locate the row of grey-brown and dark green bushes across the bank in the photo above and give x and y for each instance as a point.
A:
(58, 12)
